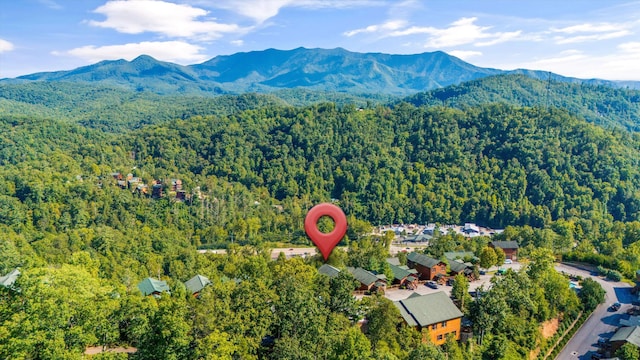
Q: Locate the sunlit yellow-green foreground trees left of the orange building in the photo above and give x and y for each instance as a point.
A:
(255, 308)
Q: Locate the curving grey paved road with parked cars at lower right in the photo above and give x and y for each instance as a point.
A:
(602, 323)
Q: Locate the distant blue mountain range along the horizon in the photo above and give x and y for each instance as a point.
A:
(327, 70)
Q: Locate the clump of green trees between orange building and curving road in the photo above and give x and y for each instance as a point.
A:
(506, 317)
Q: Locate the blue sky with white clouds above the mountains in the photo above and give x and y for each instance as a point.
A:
(585, 39)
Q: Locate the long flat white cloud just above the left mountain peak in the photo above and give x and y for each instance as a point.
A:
(173, 51)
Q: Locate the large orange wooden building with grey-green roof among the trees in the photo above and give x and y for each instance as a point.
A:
(434, 312)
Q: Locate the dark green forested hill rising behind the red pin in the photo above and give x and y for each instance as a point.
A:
(494, 165)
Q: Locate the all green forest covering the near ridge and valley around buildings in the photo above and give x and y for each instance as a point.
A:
(84, 243)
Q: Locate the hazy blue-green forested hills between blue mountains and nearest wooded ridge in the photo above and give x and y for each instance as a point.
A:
(114, 109)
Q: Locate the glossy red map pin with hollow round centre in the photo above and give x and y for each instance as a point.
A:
(325, 242)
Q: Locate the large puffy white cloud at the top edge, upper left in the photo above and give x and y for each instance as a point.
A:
(169, 19)
